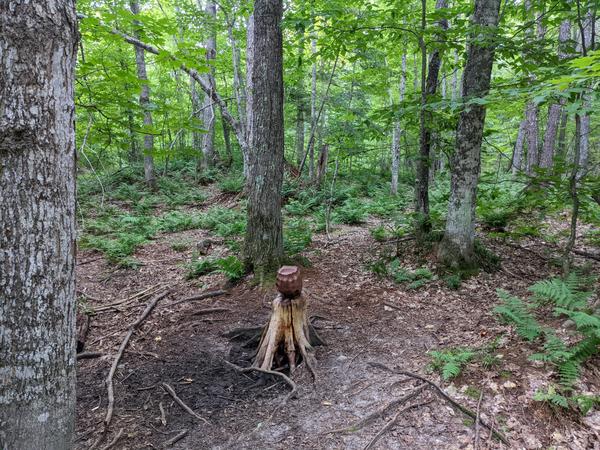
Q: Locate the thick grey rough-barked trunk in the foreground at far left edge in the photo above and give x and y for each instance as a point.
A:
(37, 213)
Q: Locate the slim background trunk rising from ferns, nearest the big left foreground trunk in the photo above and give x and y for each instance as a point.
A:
(140, 61)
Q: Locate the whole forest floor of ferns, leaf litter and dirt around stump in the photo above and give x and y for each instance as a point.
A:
(512, 342)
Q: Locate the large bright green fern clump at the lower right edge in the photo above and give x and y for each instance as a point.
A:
(569, 298)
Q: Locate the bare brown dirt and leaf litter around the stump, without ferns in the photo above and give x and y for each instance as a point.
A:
(363, 319)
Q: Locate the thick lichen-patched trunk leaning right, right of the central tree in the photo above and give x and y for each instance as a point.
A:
(457, 246)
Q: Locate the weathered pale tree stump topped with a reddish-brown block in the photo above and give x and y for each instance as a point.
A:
(288, 336)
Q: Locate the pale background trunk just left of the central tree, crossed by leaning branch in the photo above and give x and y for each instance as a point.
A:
(208, 158)
